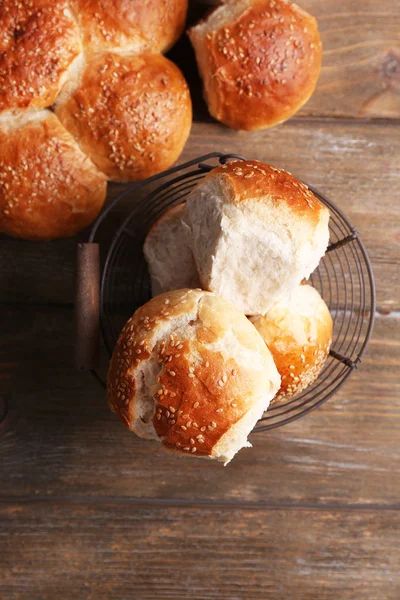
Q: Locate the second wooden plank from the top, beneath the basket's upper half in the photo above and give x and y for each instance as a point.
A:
(357, 166)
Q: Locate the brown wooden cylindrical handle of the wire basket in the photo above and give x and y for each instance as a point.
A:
(87, 306)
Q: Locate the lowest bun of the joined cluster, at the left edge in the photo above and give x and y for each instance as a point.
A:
(48, 187)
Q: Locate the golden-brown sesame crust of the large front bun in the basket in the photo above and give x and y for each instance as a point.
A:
(197, 399)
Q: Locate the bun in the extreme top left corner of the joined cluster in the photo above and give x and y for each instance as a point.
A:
(39, 48)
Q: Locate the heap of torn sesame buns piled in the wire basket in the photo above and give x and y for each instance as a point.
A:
(232, 325)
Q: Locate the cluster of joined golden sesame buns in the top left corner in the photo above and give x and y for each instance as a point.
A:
(120, 109)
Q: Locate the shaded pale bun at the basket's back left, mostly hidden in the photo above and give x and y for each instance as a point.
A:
(168, 255)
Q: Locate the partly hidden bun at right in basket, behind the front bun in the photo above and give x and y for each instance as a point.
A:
(298, 332)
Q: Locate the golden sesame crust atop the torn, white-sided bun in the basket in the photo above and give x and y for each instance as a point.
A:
(252, 179)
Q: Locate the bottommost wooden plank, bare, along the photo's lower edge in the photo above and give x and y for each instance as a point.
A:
(122, 550)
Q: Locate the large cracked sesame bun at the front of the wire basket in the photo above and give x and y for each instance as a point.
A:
(192, 372)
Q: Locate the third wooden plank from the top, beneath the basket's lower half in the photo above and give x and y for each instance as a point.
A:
(61, 438)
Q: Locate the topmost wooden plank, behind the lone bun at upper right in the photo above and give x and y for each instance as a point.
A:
(361, 61)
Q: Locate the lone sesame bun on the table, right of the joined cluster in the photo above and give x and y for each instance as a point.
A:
(259, 60)
